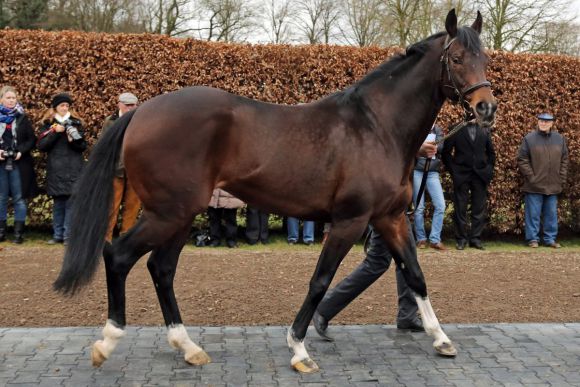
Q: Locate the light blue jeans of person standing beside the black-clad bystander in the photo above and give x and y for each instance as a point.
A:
(433, 186)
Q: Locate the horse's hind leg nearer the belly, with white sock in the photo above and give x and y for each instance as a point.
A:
(162, 265)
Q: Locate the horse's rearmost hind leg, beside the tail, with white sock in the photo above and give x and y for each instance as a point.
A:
(119, 260)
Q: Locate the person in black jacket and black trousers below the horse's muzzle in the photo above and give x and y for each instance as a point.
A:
(469, 157)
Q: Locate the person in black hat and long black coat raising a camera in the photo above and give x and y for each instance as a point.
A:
(62, 138)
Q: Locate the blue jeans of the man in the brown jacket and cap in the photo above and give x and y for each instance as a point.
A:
(537, 205)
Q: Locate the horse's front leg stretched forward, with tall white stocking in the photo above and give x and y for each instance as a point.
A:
(398, 236)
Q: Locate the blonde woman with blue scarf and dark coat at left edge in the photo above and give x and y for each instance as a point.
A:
(17, 178)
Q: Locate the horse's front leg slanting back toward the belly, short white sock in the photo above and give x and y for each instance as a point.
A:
(341, 238)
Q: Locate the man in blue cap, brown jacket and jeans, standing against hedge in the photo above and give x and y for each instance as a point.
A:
(543, 160)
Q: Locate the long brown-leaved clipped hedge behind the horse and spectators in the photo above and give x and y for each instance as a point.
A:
(96, 67)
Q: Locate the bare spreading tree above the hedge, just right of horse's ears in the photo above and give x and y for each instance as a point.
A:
(513, 25)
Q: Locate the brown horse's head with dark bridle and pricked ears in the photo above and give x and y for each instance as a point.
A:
(464, 65)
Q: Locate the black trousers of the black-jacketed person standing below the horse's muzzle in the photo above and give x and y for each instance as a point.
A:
(478, 191)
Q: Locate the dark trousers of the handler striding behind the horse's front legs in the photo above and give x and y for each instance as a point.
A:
(376, 262)
